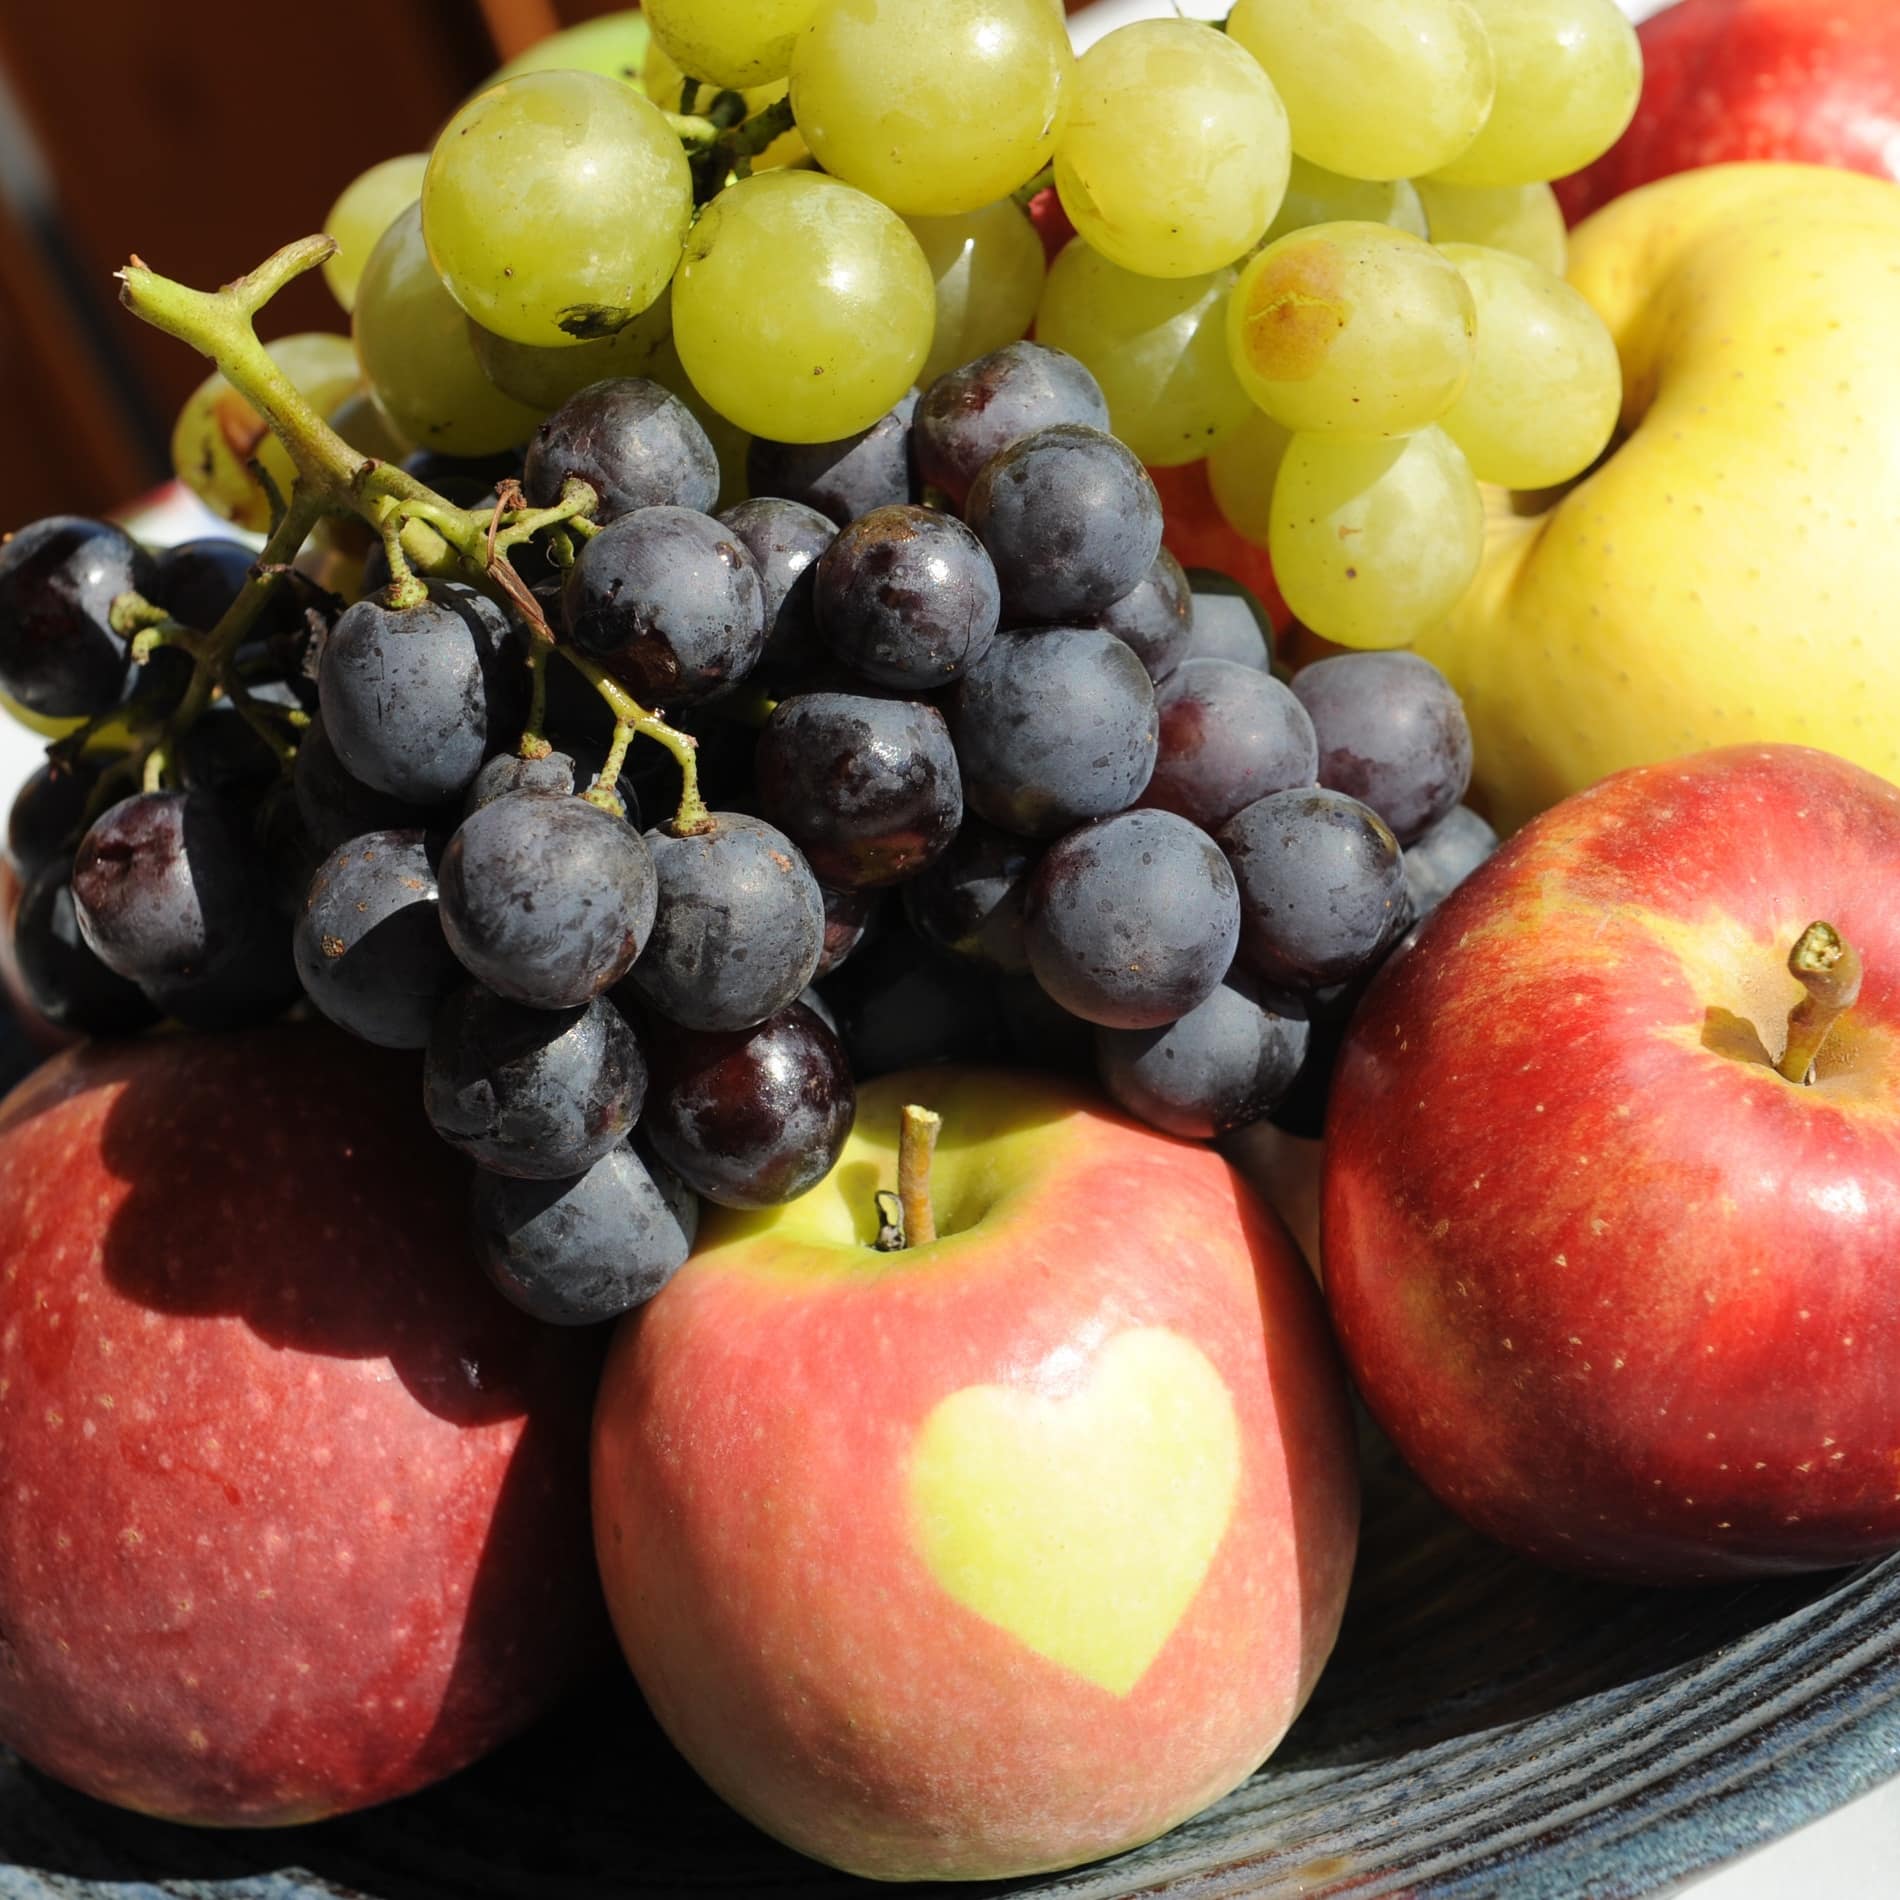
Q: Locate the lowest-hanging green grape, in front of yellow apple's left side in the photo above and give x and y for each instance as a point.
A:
(1375, 541)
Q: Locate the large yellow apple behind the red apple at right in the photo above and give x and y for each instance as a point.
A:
(1732, 569)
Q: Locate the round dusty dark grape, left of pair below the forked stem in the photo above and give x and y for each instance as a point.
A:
(546, 900)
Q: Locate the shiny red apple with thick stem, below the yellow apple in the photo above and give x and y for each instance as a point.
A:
(1620, 1293)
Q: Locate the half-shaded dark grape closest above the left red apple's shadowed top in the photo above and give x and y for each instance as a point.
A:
(370, 945)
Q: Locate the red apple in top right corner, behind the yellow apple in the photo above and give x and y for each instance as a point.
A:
(1812, 81)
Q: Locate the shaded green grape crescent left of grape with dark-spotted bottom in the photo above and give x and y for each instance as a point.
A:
(415, 351)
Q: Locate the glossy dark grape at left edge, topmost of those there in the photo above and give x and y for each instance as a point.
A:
(58, 582)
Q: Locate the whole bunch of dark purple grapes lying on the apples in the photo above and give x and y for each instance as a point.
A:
(983, 776)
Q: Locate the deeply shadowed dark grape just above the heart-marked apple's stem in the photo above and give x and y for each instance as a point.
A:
(905, 1006)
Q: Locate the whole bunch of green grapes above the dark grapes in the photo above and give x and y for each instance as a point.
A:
(1318, 248)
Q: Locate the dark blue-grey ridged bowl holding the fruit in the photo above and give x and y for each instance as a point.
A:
(1487, 1728)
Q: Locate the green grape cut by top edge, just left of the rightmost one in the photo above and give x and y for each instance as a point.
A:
(1375, 88)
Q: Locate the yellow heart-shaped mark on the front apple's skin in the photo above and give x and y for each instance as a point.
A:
(1086, 1523)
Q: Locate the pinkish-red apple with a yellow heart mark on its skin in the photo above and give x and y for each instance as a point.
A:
(1000, 1553)
